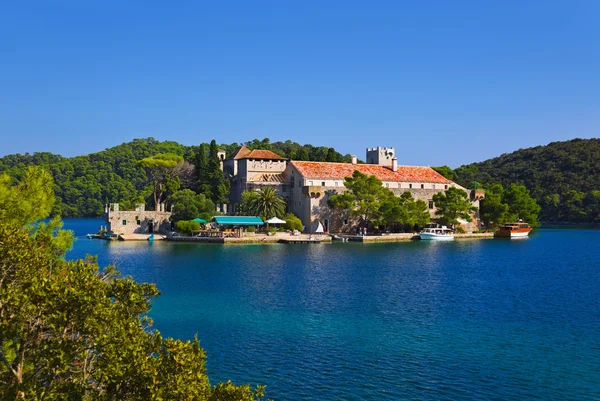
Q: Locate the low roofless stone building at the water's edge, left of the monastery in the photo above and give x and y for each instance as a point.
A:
(138, 221)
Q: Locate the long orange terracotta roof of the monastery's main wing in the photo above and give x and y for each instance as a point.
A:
(326, 170)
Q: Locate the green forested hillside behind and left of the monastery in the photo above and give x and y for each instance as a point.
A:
(84, 184)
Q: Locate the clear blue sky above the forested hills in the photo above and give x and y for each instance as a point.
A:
(444, 82)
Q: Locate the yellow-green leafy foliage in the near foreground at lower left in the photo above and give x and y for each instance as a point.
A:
(71, 331)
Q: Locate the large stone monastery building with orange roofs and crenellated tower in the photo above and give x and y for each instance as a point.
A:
(306, 186)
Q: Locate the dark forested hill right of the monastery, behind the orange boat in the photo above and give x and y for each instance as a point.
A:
(563, 177)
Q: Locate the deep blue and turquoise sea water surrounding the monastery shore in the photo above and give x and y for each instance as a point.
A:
(472, 319)
